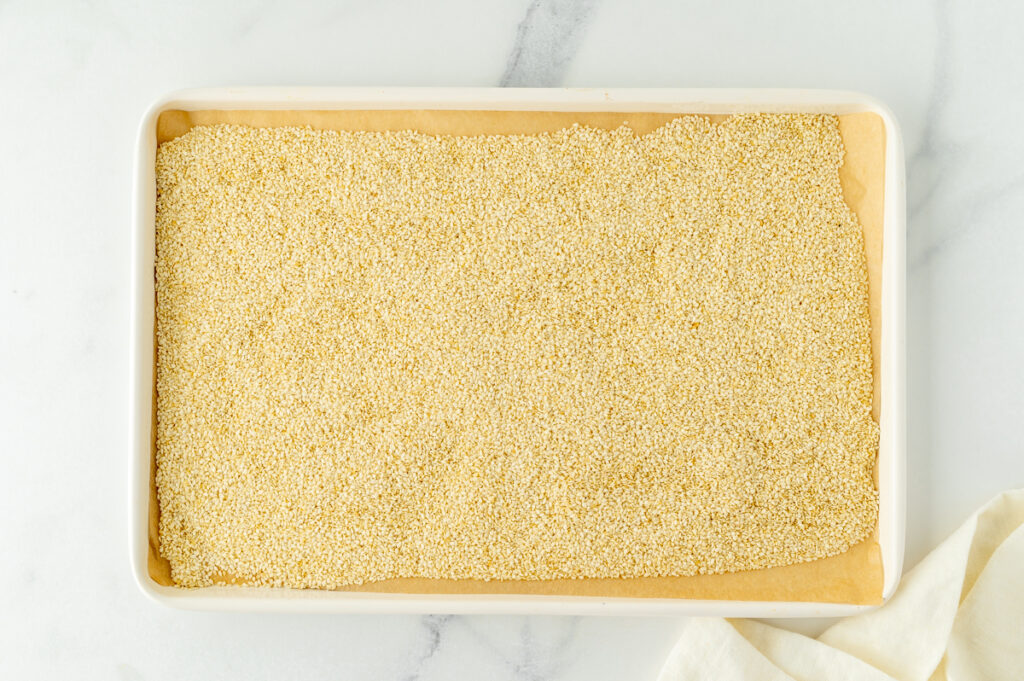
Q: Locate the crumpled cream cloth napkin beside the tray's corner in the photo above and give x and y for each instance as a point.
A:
(959, 616)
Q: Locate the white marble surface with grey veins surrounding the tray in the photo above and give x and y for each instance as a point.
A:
(74, 81)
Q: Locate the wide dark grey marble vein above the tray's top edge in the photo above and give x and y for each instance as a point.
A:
(547, 39)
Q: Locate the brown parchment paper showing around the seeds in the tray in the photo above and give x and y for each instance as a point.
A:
(854, 577)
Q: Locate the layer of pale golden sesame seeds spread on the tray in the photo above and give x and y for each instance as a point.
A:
(588, 354)
